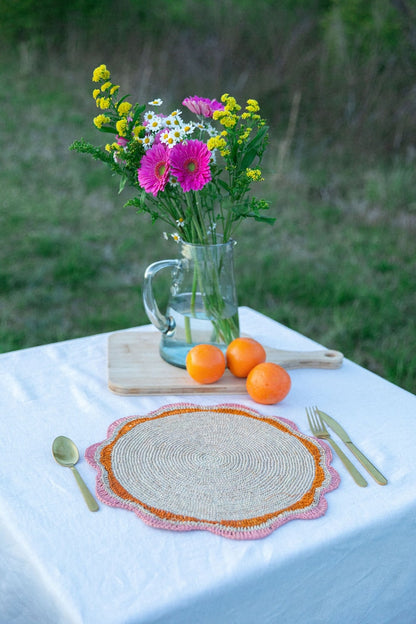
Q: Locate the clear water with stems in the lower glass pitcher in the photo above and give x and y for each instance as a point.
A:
(196, 326)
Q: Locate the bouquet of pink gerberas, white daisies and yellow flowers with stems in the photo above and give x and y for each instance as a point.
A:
(195, 175)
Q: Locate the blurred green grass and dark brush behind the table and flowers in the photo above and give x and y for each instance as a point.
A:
(336, 80)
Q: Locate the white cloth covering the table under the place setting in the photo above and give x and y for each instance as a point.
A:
(61, 564)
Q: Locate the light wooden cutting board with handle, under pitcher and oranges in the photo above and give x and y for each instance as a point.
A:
(135, 367)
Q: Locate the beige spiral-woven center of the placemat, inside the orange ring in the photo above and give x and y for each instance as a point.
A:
(212, 465)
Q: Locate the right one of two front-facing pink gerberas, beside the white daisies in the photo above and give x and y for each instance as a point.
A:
(189, 163)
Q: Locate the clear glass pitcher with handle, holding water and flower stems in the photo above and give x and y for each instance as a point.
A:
(202, 306)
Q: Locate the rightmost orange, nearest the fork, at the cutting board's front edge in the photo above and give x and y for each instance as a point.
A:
(268, 383)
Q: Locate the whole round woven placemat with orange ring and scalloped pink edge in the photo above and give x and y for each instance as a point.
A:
(224, 468)
